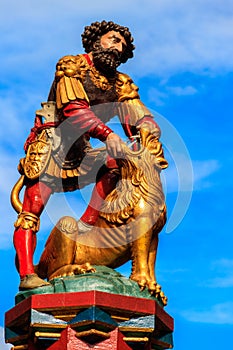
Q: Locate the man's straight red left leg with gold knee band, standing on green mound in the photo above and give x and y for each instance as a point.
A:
(35, 197)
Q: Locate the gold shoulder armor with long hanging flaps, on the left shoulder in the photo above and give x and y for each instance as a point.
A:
(69, 74)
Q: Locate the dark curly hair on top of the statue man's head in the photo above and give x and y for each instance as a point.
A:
(93, 32)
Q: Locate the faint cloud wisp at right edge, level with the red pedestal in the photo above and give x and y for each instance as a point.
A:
(218, 314)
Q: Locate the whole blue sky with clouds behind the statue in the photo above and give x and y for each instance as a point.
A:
(183, 65)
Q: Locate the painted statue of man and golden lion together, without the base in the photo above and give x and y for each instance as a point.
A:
(88, 90)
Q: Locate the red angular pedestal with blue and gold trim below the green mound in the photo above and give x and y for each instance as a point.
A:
(88, 320)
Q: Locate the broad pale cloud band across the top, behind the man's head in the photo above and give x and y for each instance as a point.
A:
(170, 36)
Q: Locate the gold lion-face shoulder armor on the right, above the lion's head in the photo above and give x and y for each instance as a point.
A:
(125, 87)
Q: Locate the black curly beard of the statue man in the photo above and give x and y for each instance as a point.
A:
(106, 60)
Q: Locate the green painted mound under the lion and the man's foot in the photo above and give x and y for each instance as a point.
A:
(104, 280)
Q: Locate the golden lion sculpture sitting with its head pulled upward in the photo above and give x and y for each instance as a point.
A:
(129, 222)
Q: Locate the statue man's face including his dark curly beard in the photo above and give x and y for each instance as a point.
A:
(107, 52)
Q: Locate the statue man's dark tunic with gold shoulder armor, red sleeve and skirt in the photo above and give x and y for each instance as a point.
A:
(85, 100)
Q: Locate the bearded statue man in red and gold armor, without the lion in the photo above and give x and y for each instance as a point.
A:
(88, 90)
